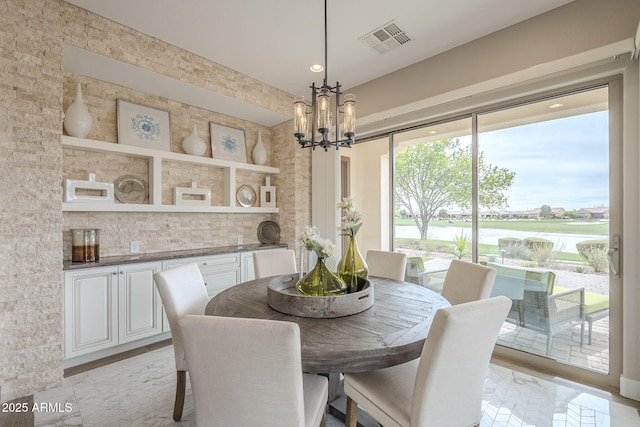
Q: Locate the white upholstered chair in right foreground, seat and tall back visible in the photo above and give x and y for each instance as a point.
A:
(444, 386)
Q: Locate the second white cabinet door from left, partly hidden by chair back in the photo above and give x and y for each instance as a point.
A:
(139, 302)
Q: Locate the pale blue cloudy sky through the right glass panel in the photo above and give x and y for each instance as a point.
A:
(561, 163)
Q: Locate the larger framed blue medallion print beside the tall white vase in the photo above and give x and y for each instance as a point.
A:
(143, 126)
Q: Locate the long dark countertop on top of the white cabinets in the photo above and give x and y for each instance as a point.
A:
(163, 256)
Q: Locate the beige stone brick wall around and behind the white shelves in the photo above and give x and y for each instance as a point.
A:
(34, 237)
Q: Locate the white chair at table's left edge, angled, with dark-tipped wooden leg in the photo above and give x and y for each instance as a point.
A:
(183, 292)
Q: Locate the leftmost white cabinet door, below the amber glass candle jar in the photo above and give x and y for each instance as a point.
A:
(91, 311)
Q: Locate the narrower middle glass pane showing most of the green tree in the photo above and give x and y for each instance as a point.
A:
(432, 184)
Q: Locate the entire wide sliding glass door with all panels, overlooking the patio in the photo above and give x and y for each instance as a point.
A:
(529, 188)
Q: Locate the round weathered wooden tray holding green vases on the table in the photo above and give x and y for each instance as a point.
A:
(283, 297)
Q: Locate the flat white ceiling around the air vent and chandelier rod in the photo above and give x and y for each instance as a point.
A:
(275, 42)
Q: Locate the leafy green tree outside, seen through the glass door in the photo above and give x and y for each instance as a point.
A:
(437, 175)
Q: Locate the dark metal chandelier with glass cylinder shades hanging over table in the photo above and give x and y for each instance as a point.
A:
(312, 122)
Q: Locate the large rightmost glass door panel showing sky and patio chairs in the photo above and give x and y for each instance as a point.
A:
(547, 230)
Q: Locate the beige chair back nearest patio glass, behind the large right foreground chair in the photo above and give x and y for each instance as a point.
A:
(467, 281)
